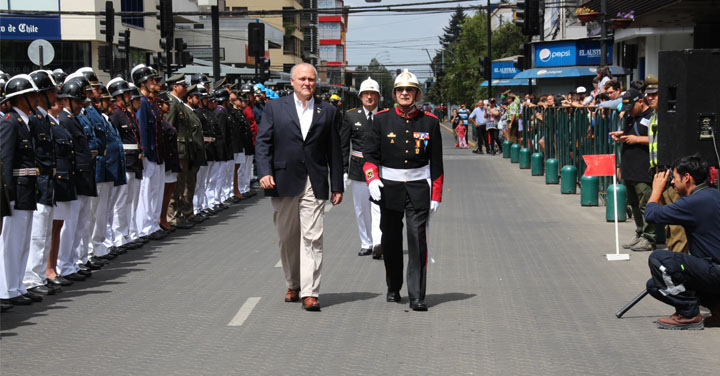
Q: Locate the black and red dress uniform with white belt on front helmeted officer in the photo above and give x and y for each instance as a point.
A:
(405, 152)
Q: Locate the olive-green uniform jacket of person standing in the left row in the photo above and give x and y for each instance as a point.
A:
(189, 131)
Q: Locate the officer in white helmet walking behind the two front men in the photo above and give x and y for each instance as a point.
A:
(355, 127)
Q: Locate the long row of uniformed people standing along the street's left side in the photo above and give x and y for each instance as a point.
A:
(90, 171)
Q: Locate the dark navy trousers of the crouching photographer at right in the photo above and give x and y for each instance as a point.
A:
(684, 281)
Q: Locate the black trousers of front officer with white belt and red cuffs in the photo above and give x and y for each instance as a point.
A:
(391, 226)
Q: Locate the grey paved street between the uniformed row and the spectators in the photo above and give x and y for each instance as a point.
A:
(520, 286)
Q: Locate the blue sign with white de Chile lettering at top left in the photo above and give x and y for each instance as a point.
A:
(29, 27)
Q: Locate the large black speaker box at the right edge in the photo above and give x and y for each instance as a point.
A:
(688, 105)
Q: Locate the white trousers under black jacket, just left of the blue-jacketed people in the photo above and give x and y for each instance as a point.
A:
(70, 235)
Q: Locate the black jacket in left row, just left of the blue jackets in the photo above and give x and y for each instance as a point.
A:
(84, 176)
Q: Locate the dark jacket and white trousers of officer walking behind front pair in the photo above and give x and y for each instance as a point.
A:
(355, 128)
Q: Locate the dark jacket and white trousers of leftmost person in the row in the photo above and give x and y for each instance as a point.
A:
(17, 151)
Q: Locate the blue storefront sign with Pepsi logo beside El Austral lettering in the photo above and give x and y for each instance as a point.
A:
(568, 53)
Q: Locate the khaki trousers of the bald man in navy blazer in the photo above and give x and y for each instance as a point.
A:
(299, 223)
